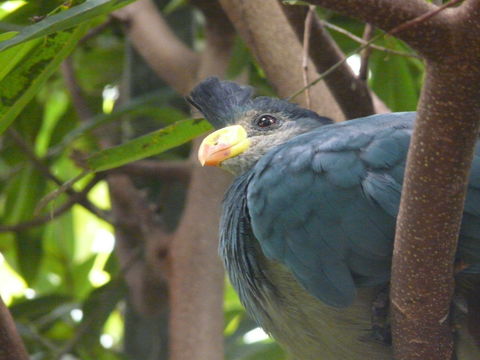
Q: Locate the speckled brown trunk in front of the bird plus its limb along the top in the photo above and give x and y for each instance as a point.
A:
(437, 167)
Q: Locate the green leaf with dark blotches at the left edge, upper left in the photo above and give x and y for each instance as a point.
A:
(21, 84)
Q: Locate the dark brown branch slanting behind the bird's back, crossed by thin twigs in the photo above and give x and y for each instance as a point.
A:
(325, 53)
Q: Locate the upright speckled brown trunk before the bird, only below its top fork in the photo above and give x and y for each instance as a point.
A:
(430, 214)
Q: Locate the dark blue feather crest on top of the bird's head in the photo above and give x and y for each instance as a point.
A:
(219, 101)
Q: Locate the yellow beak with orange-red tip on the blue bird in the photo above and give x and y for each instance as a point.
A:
(223, 144)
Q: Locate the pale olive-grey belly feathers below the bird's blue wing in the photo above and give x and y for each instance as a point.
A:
(312, 330)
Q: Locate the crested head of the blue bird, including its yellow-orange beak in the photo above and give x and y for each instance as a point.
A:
(248, 127)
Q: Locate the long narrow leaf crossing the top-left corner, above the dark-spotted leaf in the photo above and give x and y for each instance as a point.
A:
(65, 20)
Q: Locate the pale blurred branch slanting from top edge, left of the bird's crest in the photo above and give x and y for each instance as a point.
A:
(172, 60)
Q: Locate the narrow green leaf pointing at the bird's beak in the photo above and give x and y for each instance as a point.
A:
(148, 145)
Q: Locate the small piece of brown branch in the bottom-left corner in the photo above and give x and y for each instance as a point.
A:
(11, 345)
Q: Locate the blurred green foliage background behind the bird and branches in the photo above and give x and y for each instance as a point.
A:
(59, 275)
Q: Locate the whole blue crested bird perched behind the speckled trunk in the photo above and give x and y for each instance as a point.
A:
(308, 224)
